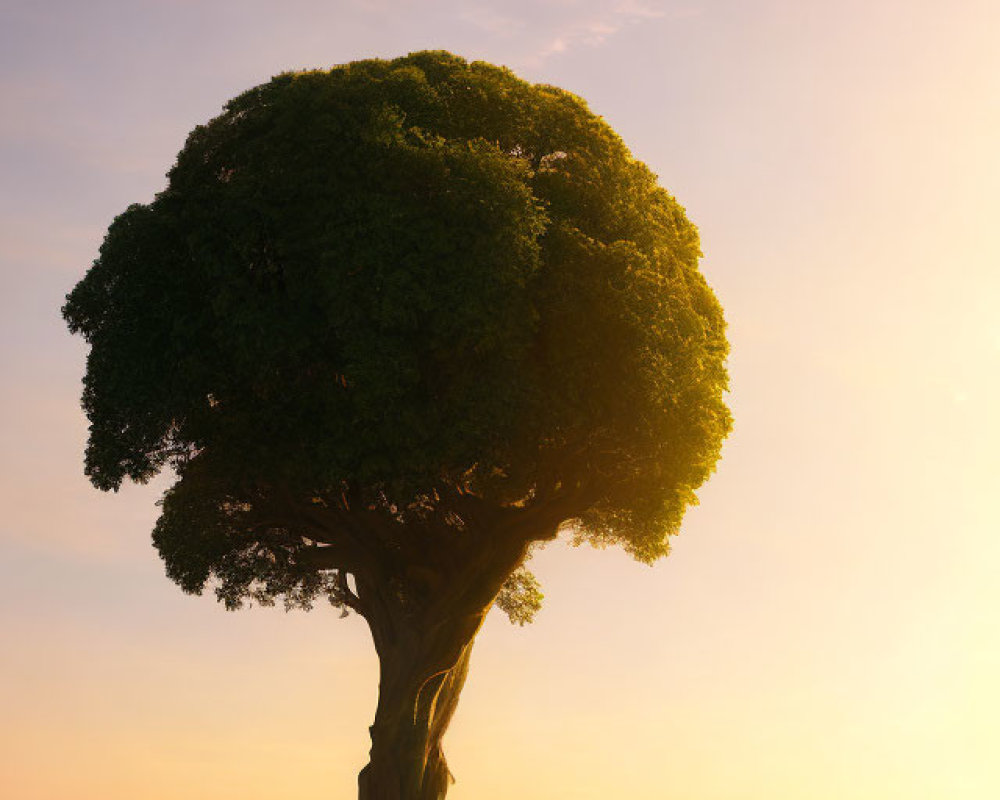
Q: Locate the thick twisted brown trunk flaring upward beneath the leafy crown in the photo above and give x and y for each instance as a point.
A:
(423, 618)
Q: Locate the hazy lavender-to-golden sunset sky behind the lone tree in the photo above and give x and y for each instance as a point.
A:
(828, 624)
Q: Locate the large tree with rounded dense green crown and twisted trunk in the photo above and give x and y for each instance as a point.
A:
(391, 325)
